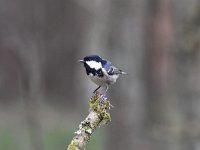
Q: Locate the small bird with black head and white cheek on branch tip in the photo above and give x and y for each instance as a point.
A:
(101, 71)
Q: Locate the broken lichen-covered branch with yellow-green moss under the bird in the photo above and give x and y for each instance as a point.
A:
(98, 114)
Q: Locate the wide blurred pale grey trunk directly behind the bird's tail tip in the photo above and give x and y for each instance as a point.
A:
(125, 42)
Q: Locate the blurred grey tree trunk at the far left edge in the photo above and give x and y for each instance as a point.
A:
(22, 34)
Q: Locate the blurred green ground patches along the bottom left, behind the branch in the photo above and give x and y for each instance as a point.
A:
(53, 139)
